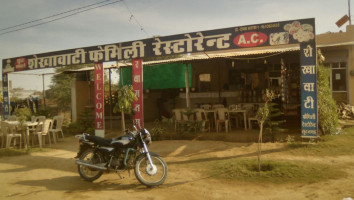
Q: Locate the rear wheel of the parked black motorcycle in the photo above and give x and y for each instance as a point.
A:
(88, 173)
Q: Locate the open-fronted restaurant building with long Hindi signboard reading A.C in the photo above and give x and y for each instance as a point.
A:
(226, 66)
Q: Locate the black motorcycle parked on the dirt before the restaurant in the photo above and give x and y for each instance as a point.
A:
(130, 151)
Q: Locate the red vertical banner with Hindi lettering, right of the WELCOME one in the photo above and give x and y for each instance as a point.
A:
(138, 89)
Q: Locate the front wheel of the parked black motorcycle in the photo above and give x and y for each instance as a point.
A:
(150, 175)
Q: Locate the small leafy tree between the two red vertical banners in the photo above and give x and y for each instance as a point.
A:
(126, 96)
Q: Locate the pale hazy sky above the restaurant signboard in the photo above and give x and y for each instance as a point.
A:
(140, 19)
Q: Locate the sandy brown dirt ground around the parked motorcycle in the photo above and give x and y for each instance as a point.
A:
(53, 175)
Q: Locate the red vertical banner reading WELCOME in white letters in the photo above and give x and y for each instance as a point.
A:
(99, 99)
